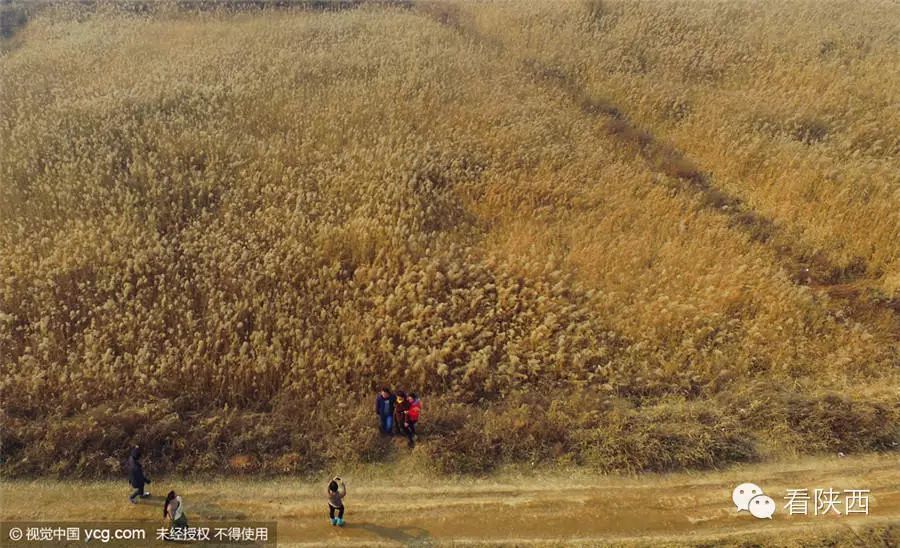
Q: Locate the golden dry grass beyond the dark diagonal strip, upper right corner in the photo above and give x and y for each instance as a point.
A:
(791, 106)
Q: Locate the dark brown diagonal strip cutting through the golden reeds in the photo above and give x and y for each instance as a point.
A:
(845, 284)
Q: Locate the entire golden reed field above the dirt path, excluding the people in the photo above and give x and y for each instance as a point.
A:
(631, 236)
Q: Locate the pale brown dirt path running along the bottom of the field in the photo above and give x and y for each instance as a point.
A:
(558, 508)
